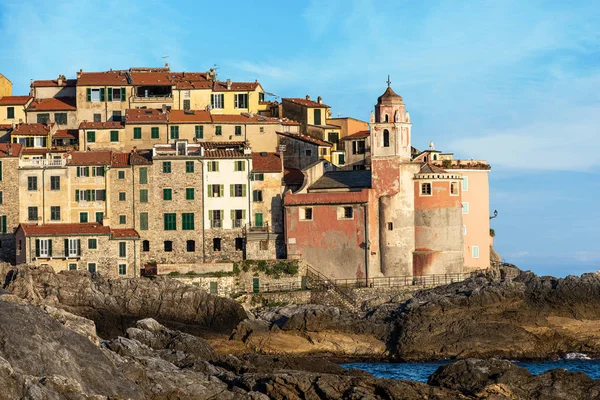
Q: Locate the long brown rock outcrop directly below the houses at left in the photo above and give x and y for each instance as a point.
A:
(116, 304)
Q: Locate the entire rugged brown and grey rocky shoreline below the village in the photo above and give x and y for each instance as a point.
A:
(63, 334)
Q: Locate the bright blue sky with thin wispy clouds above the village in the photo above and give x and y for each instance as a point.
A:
(513, 82)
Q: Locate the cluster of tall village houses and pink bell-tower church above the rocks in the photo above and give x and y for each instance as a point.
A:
(138, 171)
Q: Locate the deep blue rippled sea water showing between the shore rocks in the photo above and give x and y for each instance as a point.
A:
(422, 371)
